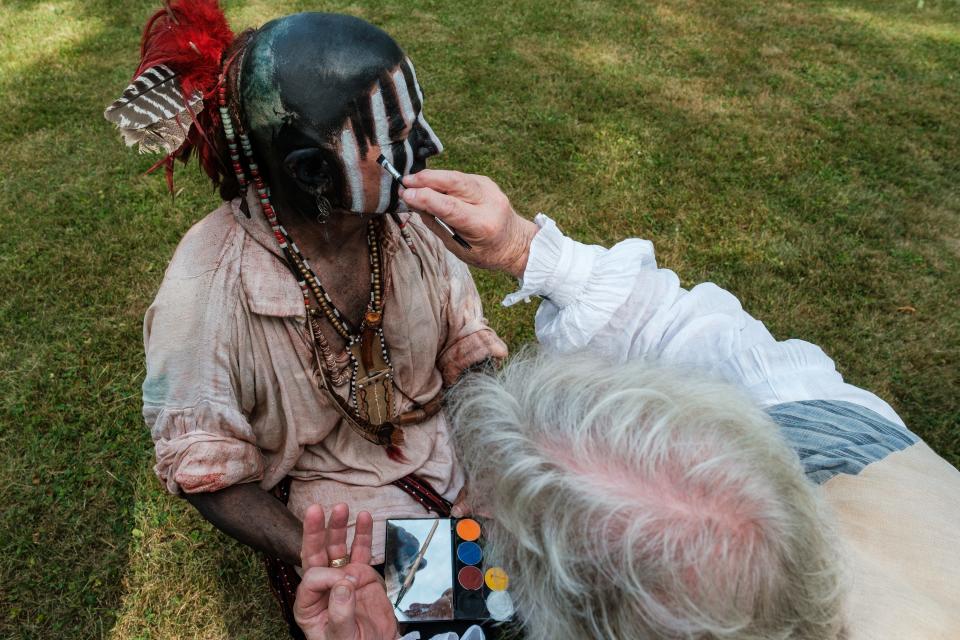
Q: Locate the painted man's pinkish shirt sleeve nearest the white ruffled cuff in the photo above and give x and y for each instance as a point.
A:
(468, 338)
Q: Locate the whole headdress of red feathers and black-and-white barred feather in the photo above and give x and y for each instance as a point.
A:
(168, 106)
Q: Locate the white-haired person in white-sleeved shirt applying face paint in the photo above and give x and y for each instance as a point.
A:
(681, 475)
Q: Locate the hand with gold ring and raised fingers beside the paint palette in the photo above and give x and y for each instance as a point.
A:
(341, 604)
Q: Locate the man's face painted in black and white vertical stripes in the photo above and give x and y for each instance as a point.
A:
(389, 121)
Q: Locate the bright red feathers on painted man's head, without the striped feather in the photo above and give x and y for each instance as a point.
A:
(190, 36)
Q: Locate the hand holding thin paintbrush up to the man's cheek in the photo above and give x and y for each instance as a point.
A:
(479, 211)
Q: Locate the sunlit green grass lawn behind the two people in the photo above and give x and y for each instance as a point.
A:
(803, 155)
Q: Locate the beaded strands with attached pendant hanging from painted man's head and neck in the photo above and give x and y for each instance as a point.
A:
(371, 373)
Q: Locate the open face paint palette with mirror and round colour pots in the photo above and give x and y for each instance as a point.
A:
(435, 570)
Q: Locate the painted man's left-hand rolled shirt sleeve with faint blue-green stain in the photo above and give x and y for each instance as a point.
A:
(191, 392)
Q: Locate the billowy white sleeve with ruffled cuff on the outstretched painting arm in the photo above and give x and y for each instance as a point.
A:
(617, 302)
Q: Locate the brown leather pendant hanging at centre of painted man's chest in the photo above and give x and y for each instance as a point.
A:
(374, 376)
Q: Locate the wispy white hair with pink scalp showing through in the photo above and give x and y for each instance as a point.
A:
(636, 501)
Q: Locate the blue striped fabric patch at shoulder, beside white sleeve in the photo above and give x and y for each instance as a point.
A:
(833, 436)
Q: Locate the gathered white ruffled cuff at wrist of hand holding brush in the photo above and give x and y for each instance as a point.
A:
(558, 268)
